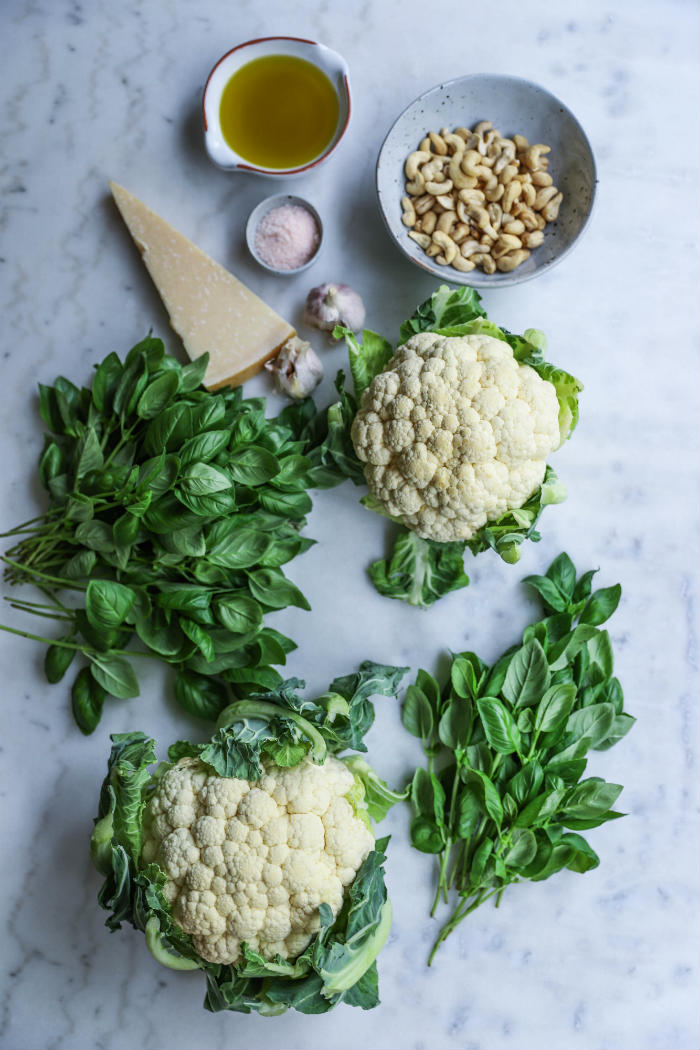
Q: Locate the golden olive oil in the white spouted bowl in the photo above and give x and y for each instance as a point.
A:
(279, 112)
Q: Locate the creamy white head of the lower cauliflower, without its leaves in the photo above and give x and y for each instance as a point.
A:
(253, 862)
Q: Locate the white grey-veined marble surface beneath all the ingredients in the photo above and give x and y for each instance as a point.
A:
(99, 91)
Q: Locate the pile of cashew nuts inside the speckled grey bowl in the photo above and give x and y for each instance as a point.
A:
(478, 200)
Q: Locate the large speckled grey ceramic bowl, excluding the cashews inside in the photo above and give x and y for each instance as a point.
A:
(515, 107)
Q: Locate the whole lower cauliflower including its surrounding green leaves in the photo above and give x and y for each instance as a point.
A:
(251, 857)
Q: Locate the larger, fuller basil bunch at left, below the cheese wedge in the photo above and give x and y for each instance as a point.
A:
(172, 513)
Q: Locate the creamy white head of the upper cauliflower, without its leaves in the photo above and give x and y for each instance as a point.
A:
(454, 433)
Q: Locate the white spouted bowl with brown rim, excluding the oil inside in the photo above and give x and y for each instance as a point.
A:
(328, 61)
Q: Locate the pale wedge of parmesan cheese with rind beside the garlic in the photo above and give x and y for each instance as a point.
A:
(210, 309)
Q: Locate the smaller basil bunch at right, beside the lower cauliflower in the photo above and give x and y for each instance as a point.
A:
(503, 796)
